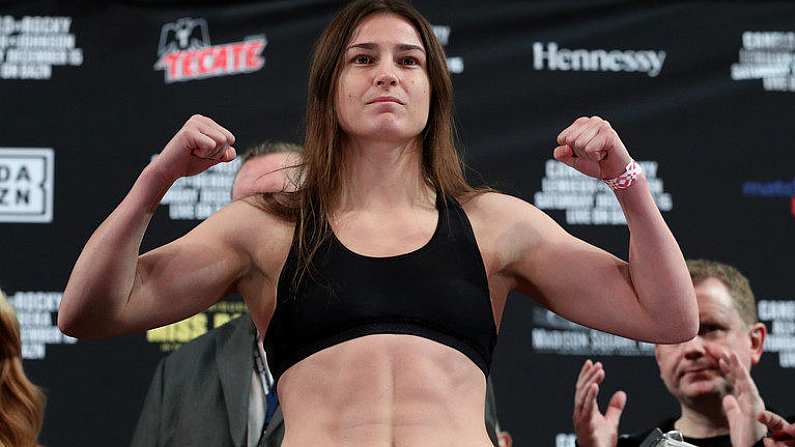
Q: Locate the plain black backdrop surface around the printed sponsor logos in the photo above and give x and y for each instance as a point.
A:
(708, 133)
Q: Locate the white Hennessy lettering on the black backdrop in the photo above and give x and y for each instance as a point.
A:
(549, 56)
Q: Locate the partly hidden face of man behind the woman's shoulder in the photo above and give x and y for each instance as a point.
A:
(263, 174)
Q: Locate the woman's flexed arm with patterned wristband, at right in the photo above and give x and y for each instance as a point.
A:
(650, 297)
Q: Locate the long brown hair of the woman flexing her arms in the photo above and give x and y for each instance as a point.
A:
(323, 170)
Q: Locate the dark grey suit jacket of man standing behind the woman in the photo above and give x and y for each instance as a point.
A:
(199, 394)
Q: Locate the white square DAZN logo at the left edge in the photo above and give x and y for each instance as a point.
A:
(26, 184)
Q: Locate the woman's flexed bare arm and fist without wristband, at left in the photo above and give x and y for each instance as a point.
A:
(112, 290)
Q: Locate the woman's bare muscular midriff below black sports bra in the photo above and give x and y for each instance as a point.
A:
(384, 390)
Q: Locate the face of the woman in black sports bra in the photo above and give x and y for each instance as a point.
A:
(383, 91)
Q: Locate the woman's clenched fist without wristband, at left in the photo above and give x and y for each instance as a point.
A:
(200, 144)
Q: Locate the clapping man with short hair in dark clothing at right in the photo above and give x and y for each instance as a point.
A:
(709, 376)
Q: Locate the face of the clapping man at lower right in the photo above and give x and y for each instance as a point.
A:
(690, 370)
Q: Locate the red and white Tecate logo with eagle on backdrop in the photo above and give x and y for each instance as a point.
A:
(185, 53)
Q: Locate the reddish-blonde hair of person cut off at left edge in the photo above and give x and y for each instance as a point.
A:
(21, 402)
